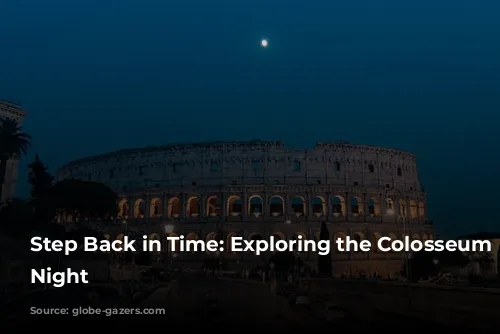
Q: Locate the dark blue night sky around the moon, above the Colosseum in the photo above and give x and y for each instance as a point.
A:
(100, 75)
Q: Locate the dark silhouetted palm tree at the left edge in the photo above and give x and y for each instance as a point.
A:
(13, 143)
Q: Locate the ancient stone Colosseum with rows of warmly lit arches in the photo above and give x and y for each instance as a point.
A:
(261, 188)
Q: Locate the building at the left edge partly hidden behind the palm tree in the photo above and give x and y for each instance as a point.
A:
(12, 111)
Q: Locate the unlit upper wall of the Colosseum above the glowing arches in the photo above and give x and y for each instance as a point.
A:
(247, 163)
